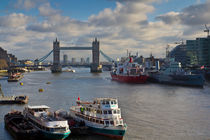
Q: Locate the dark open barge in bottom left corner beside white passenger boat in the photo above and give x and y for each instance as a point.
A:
(19, 127)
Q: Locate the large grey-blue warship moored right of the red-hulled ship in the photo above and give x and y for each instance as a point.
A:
(174, 74)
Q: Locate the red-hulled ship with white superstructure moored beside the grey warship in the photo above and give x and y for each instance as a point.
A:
(129, 72)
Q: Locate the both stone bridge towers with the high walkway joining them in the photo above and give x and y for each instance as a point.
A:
(95, 66)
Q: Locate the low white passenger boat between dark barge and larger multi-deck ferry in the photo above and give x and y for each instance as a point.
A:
(50, 126)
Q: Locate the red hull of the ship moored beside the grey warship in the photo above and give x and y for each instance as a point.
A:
(130, 78)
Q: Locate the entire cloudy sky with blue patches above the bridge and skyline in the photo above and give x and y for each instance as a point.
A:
(28, 27)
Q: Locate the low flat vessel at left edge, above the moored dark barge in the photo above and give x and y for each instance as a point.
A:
(21, 99)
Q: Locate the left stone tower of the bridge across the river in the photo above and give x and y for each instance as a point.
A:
(56, 57)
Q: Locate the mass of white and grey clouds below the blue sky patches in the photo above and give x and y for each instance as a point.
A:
(119, 29)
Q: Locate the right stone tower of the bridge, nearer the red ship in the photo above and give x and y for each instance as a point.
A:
(95, 66)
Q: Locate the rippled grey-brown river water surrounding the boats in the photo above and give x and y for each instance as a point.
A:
(151, 111)
